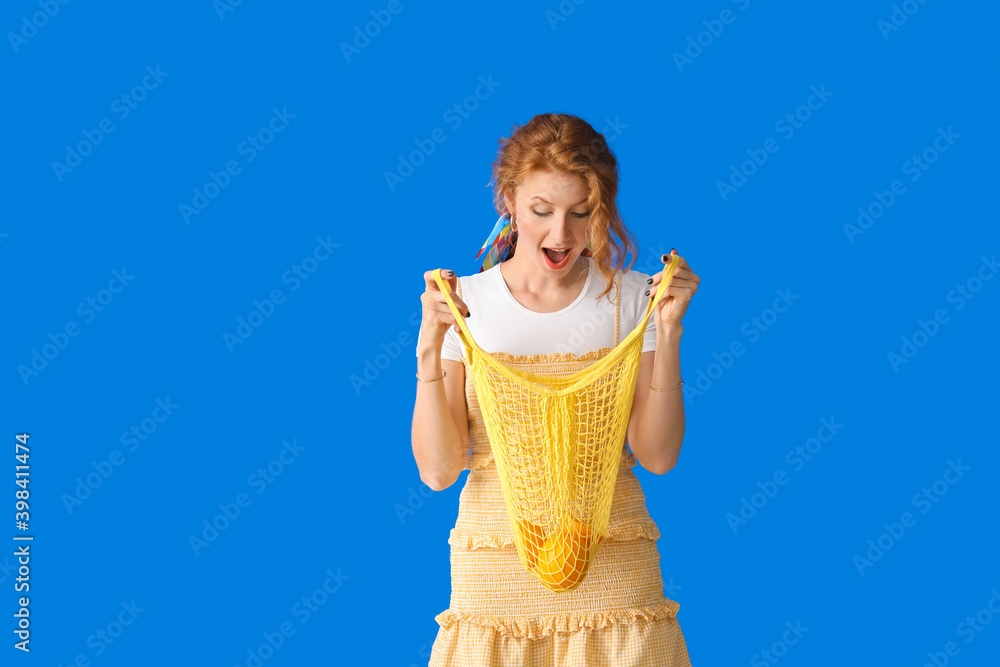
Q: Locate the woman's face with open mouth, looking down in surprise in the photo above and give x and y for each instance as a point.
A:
(552, 215)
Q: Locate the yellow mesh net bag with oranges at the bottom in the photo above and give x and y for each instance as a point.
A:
(557, 445)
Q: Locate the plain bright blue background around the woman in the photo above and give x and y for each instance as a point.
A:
(676, 131)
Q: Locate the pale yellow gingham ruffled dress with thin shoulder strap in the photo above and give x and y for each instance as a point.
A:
(500, 615)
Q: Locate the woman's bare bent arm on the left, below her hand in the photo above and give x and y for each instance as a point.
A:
(440, 432)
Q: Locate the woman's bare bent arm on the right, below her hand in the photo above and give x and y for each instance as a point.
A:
(656, 422)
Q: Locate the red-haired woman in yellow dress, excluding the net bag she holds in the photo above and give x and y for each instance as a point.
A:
(543, 303)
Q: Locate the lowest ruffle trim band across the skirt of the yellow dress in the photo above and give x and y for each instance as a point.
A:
(535, 628)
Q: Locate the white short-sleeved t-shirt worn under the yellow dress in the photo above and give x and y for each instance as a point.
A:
(500, 324)
